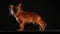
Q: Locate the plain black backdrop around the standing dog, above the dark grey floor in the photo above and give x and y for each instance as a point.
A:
(48, 9)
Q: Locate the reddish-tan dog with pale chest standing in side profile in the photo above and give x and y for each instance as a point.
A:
(27, 17)
